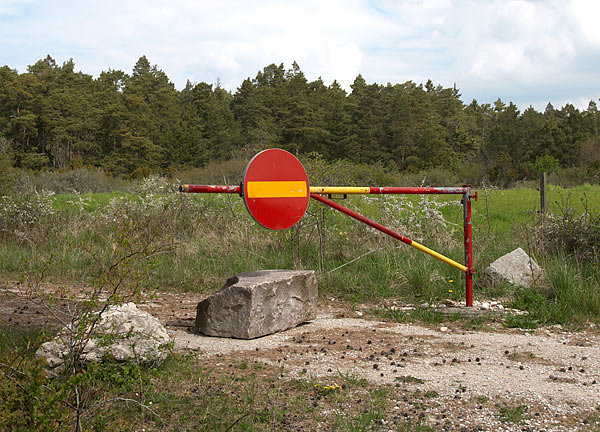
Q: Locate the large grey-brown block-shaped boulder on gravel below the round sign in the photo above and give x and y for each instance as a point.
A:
(259, 303)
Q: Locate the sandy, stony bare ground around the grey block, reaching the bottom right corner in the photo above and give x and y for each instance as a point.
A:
(555, 373)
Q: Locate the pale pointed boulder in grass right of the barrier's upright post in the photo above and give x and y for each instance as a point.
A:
(516, 268)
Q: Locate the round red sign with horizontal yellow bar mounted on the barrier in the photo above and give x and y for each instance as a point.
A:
(276, 191)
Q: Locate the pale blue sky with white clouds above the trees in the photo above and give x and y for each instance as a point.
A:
(527, 52)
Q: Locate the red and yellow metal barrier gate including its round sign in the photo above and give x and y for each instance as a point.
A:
(276, 192)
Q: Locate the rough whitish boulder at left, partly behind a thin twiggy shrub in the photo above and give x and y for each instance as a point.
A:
(123, 332)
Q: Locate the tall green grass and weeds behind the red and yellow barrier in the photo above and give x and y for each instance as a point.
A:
(214, 237)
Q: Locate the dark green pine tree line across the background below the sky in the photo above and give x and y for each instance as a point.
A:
(135, 124)
